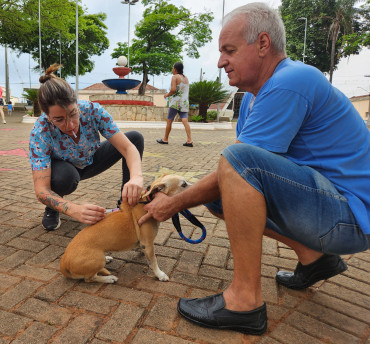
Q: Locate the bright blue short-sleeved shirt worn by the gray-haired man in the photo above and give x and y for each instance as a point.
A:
(300, 115)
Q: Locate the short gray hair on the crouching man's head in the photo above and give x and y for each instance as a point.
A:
(260, 18)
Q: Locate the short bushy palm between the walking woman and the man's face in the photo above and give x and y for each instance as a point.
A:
(204, 93)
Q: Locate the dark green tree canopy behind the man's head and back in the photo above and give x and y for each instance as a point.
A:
(328, 23)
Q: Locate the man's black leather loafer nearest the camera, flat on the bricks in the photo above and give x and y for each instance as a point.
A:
(210, 312)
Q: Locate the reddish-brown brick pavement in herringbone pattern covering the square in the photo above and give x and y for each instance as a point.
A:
(39, 305)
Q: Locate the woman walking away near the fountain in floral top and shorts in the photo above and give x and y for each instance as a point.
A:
(178, 103)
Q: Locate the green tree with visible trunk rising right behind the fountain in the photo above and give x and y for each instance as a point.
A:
(164, 33)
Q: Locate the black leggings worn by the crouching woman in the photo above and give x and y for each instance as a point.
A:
(65, 176)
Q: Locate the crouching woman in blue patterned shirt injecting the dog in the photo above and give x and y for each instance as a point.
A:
(65, 148)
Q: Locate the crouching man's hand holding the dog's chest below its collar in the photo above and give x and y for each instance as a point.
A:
(161, 208)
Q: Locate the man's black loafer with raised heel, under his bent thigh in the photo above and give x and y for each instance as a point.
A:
(305, 276)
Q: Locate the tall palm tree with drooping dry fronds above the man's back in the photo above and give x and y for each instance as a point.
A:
(344, 15)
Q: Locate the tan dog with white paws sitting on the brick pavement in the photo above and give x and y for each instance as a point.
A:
(84, 257)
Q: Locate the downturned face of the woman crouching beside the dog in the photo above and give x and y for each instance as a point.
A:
(66, 119)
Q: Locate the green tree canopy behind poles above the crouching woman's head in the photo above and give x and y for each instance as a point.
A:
(19, 29)
